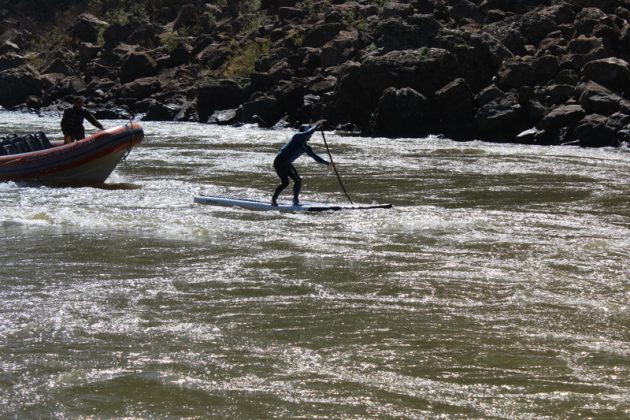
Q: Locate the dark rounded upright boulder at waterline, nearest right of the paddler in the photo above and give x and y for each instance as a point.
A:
(400, 113)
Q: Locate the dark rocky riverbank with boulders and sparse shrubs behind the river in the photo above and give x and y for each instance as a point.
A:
(538, 71)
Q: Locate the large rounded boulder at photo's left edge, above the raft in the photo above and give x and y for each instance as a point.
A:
(17, 84)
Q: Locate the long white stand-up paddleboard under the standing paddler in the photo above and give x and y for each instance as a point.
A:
(285, 207)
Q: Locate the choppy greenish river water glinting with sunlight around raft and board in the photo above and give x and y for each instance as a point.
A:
(497, 286)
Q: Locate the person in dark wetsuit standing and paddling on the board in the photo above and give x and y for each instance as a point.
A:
(283, 163)
